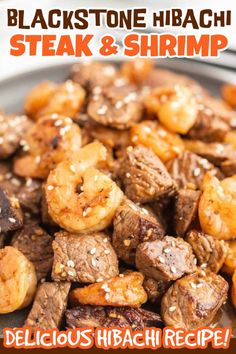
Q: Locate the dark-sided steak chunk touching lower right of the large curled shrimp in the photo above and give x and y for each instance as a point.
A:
(132, 226)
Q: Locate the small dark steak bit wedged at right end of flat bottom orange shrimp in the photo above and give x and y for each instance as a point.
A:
(155, 289)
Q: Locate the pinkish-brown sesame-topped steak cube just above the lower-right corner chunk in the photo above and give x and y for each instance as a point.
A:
(166, 259)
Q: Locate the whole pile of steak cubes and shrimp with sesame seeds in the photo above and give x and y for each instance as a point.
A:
(118, 200)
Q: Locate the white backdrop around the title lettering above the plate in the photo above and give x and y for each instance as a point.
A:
(10, 65)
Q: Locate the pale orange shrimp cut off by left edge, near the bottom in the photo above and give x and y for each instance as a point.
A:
(18, 280)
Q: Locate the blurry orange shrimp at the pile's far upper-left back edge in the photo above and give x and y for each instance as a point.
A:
(38, 97)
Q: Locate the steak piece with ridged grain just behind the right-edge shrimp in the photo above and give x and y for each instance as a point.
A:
(190, 168)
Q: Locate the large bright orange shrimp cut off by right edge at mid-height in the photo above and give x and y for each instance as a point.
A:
(217, 207)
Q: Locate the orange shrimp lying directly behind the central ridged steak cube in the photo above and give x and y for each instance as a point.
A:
(165, 145)
